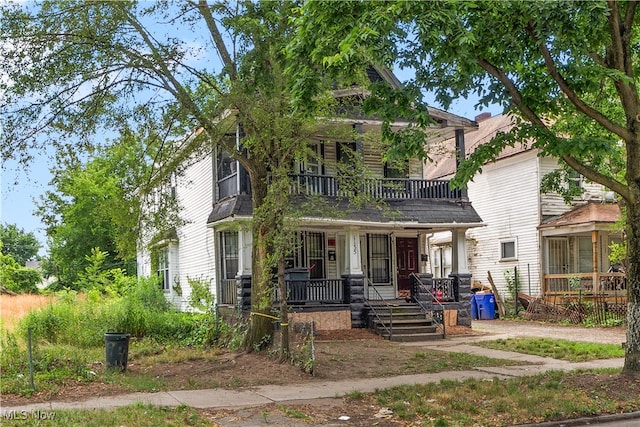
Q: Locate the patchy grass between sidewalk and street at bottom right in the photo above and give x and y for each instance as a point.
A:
(545, 397)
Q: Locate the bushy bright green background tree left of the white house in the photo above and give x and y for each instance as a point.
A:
(93, 204)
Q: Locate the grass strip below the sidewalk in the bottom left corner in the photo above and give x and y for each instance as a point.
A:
(133, 415)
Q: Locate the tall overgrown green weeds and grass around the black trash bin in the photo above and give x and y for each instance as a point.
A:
(68, 339)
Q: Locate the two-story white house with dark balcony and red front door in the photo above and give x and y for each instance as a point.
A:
(339, 263)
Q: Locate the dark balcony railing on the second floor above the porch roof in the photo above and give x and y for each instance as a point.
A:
(384, 188)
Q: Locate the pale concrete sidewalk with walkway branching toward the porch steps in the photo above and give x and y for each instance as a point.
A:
(238, 398)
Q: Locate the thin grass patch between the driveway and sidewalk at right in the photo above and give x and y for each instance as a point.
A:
(573, 351)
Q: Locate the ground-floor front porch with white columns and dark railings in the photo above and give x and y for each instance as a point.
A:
(344, 267)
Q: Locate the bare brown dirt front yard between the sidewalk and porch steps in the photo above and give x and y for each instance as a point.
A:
(339, 355)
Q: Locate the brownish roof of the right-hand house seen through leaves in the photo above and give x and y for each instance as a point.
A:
(444, 161)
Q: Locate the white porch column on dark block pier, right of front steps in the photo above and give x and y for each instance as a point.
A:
(461, 275)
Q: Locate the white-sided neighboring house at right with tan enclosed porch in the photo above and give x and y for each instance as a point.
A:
(551, 243)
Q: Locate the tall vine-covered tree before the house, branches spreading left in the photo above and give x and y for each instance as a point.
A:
(74, 68)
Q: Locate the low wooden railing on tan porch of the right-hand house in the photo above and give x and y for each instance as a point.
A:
(597, 283)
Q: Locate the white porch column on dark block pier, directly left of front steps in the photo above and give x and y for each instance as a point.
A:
(353, 277)
